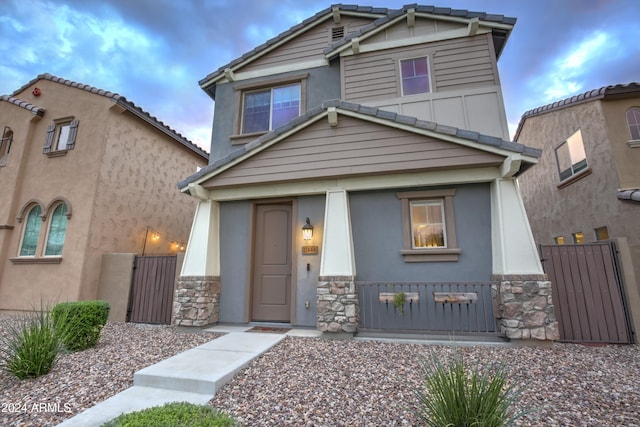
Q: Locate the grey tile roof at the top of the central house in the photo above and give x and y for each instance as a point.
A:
(385, 15)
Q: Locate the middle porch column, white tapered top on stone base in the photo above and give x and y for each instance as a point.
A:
(337, 295)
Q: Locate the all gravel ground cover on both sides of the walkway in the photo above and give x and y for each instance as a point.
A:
(320, 382)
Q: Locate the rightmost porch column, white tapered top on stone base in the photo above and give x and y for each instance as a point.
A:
(522, 297)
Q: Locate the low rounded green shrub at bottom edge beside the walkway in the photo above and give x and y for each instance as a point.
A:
(176, 414)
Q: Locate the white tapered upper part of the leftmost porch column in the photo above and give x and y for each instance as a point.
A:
(202, 257)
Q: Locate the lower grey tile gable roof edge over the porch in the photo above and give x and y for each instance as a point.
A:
(461, 136)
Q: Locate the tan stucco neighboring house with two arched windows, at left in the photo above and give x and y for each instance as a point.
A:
(84, 172)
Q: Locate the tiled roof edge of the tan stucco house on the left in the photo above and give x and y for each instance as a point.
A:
(118, 99)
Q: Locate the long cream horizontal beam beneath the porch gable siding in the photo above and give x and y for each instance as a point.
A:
(359, 183)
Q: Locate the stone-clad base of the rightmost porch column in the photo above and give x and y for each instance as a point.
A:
(524, 307)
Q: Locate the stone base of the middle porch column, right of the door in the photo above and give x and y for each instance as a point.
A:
(337, 302)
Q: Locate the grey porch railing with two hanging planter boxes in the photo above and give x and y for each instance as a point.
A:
(437, 308)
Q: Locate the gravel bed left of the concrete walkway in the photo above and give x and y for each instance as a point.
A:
(80, 380)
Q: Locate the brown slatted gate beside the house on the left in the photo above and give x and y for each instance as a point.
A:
(151, 296)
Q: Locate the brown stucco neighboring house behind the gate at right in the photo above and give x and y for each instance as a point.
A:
(587, 185)
